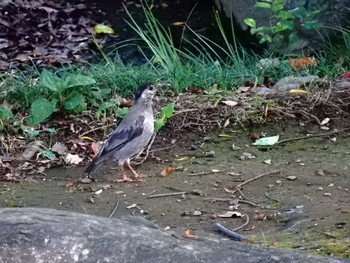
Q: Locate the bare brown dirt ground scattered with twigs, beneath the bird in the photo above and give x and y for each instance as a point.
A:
(301, 201)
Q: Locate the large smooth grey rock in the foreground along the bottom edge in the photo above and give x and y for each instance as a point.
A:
(45, 235)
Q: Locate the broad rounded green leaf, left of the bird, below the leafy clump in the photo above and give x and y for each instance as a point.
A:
(41, 109)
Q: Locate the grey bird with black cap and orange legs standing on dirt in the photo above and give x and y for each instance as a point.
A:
(132, 135)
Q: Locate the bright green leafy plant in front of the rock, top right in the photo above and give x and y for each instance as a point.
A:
(283, 22)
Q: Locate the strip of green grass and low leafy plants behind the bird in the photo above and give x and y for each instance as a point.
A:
(204, 64)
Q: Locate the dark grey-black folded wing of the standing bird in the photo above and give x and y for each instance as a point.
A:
(120, 137)
